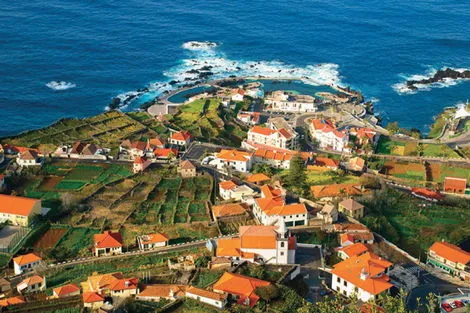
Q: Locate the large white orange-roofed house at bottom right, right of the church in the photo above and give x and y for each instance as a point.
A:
(363, 276)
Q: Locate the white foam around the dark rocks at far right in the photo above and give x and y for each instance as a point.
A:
(402, 87)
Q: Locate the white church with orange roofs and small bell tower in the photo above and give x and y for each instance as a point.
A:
(259, 243)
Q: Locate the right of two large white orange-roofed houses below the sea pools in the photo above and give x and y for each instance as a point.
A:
(328, 136)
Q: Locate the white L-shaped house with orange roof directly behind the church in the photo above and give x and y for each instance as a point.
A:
(272, 208)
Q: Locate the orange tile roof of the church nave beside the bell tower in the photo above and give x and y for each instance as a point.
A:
(258, 237)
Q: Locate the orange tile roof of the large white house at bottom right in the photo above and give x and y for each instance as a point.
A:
(374, 282)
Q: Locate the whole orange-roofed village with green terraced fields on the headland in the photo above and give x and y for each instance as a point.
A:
(235, 197)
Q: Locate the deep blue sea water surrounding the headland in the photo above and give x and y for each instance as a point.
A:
(109, 47)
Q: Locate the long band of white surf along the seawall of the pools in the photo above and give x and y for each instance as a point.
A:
(205, 62)
